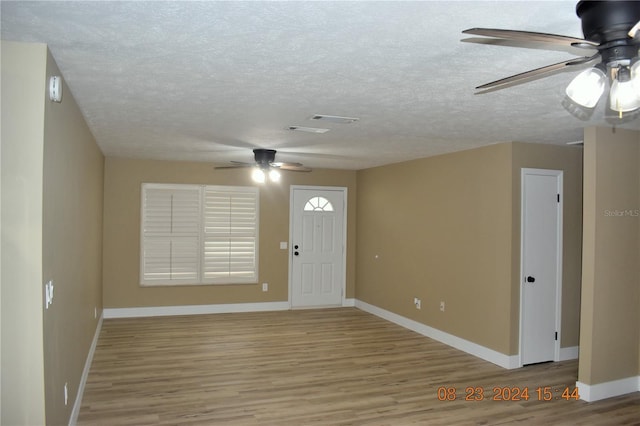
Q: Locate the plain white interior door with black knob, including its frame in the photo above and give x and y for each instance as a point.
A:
(541, 265)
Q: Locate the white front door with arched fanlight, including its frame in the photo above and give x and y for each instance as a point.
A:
(317, 272)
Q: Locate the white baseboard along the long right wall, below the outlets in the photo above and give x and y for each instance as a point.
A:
(500, 359)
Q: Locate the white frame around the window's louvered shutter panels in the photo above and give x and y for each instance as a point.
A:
(202, 236)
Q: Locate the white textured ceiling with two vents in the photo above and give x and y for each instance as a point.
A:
(208, 81)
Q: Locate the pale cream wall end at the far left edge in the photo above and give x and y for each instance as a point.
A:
(23, 90)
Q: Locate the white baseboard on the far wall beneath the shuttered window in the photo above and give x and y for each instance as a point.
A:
(160, 311)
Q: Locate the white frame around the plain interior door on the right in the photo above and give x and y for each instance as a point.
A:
(558, 320)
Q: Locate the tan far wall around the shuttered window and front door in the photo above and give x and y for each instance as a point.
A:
(123, 178)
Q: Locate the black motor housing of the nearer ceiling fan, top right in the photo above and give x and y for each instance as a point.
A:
(607, 23)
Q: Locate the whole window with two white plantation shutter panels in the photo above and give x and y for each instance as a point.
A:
(197, 234)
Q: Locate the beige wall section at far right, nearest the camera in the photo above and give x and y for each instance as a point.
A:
(610, 315)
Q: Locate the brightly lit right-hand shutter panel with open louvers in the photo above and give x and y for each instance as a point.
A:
(230, 234)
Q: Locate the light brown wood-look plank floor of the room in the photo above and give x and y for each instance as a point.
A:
(319, 367)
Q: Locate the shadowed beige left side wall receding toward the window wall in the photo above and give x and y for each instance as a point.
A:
(71, 247)
